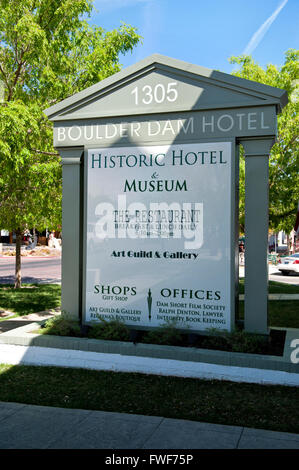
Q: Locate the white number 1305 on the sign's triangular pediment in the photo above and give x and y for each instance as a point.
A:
(155, 94)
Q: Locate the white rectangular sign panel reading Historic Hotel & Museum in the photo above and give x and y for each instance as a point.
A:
(159, 235)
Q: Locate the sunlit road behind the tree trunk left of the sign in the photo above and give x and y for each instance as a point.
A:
(34, 270)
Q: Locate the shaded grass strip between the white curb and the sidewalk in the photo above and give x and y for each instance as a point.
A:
(220, 402)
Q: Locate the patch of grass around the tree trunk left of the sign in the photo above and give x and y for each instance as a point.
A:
(30, 298)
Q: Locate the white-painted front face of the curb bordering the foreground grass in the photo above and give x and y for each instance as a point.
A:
(42, 356)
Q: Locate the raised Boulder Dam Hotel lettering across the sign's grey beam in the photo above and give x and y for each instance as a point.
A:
(199, 125)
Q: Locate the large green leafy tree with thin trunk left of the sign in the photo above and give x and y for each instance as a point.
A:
(47, 53)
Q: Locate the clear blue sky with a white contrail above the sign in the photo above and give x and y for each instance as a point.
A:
(206, 33)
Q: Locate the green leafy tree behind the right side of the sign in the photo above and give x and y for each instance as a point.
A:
(284, 157)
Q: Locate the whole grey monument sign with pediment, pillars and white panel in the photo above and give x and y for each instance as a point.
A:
(150, 196)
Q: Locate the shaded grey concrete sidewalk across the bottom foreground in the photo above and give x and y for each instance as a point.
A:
(38, 427)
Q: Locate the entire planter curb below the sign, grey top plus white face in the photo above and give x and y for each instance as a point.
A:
(23, 346)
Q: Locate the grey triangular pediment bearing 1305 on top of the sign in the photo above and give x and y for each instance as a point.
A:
(159, 84)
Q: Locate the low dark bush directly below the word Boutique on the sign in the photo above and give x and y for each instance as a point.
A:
(110, 330)
